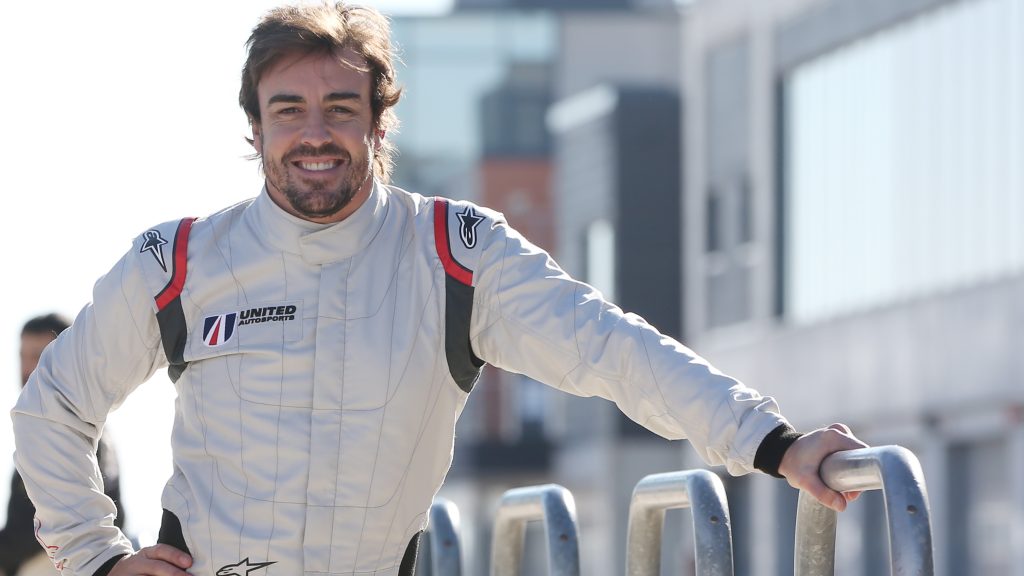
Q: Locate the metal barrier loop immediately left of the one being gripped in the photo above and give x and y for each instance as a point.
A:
(700, 490)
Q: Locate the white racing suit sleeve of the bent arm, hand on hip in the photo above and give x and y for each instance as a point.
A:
(112, 348)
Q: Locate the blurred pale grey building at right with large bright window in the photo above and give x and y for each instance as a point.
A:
(855, 243)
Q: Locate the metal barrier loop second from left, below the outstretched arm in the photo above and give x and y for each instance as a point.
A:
(556, 507)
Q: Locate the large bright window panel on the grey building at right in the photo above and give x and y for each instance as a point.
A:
(903, 162)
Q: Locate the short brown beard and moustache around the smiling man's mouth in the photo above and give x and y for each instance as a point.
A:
(313, 198)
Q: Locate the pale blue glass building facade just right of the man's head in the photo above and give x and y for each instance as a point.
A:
(449, 65)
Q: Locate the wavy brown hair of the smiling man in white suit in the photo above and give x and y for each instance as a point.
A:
(328, 29)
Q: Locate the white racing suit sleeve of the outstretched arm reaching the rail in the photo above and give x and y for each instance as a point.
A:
(532, 318)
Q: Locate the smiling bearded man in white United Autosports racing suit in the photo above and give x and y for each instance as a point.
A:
(324, 338)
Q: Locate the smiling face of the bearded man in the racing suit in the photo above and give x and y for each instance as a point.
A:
(317, 135)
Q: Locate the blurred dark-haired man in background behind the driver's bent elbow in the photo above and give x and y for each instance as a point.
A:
(20, 553)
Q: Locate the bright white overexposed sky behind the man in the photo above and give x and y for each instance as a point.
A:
(117, 116)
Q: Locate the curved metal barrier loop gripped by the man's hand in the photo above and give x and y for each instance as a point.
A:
(898, 473)
